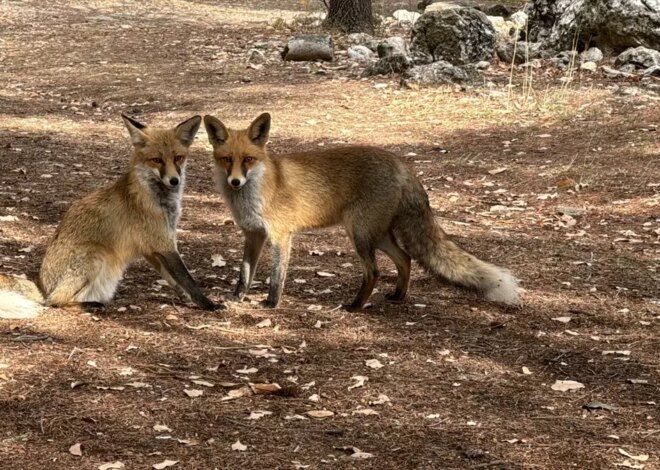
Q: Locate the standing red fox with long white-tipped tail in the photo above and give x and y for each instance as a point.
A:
(368, 190)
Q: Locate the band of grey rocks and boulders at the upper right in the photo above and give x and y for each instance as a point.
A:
(455, 42)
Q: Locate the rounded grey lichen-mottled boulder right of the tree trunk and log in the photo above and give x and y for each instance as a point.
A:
(457, 35)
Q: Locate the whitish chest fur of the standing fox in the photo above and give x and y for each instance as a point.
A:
(246, 204)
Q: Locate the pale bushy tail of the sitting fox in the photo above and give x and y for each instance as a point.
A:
(19, 298)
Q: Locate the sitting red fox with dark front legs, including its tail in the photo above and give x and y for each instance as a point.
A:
(102, 233)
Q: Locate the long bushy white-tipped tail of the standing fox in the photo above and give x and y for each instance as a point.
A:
(426, 242)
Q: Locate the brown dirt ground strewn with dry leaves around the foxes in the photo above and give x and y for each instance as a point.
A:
(463, 383)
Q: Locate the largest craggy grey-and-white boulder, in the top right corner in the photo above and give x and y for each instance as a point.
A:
(612, 25)
